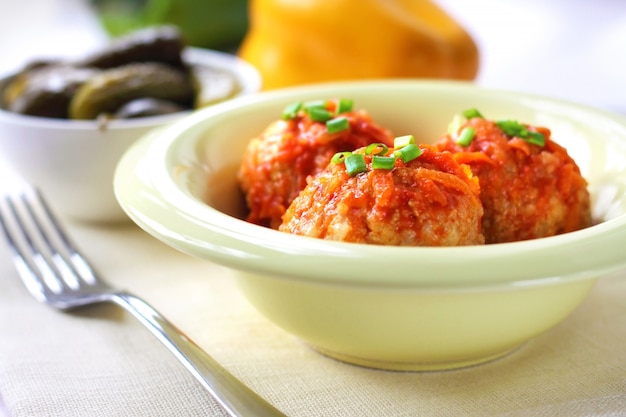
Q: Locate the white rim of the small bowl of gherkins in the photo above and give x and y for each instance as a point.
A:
(247, 75)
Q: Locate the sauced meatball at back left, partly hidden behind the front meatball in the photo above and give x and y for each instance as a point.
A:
(276, 164)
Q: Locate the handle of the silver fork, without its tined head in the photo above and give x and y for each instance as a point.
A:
(236, 398)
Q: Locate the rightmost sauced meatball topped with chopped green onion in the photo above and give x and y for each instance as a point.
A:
(528, 190)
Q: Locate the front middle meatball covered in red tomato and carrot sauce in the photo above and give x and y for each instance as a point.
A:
(429, 201)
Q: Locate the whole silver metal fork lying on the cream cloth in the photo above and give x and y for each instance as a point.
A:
(57, 274)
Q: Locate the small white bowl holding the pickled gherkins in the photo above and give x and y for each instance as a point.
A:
(72, 161)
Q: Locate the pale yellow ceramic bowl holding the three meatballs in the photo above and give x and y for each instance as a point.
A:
(403, 308)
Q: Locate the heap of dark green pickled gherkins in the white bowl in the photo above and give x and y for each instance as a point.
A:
(139, 75)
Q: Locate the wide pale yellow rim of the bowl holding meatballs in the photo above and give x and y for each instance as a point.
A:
(147, 190)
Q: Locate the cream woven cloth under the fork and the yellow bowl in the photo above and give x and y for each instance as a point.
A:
(101, 362)
